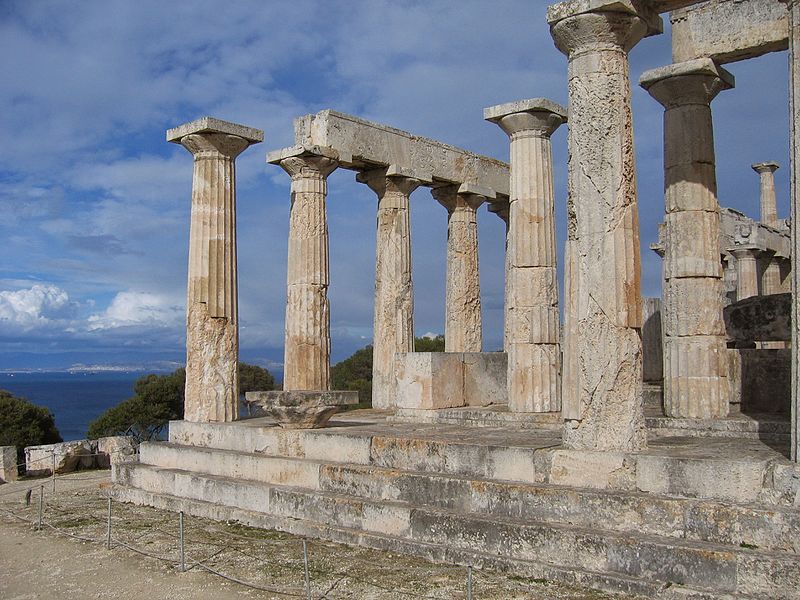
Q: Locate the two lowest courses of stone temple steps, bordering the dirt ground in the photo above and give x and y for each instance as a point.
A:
(567, 552)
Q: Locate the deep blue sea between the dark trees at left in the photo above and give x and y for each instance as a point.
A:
(75, 399)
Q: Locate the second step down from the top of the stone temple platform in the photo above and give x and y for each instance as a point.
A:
(629, 511)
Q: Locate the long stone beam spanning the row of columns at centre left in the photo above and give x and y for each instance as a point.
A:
(362, 145)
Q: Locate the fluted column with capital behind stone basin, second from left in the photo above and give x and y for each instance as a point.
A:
(308, 338)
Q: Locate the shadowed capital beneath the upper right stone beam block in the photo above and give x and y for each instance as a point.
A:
(691, 82)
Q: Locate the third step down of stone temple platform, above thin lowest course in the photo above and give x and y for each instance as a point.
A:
(700, 565)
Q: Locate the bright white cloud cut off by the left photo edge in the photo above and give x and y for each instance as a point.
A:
(33, 307)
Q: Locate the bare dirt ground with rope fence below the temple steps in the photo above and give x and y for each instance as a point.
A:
(68, 557)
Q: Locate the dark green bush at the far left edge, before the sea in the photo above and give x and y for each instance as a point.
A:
(23, 423)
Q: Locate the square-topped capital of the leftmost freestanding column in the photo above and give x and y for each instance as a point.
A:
(213, 138)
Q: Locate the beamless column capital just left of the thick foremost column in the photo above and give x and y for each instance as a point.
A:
(536, 117)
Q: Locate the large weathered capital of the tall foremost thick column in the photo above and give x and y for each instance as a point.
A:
(581, 25)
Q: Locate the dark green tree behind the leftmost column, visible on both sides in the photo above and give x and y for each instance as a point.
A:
(158, 399)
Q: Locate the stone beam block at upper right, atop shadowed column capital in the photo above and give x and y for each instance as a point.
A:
(729, 30)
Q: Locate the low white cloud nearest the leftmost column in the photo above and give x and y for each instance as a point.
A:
(136, 309)
